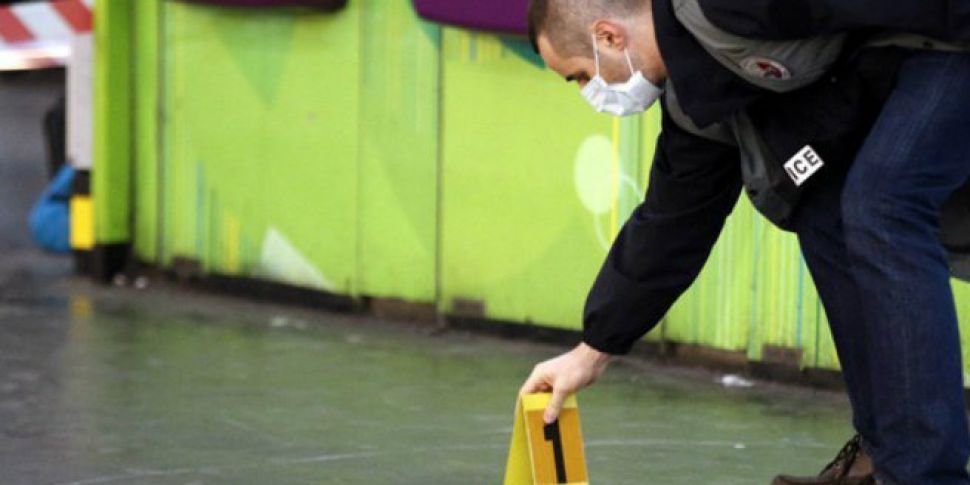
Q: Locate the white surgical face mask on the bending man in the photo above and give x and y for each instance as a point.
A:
(621, 99)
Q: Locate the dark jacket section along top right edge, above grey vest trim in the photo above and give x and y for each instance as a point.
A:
(946, 20)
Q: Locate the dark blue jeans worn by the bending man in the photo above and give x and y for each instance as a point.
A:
(870, 237)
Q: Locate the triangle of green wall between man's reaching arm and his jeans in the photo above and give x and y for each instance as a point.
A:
(754, 291)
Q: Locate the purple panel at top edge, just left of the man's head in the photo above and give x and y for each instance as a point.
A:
(508, 16)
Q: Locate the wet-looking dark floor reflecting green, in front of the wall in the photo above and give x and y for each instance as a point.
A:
(164, 386)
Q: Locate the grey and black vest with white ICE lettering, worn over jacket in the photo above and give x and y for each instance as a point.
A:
(774, 183)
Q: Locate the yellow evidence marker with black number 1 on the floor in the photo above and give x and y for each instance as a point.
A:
(543, 454)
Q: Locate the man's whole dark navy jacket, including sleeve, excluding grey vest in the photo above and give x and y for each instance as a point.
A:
(695, 183)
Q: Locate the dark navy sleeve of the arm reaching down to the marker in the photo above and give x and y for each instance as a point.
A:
(694, 185)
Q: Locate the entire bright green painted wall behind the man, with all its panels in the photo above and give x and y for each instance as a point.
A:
(372, 154)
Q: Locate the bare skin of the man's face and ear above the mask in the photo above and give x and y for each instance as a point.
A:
(580, 69)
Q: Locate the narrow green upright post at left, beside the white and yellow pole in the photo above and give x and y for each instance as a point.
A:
(111, 173)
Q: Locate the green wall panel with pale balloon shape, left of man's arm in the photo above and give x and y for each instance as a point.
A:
(531, 184)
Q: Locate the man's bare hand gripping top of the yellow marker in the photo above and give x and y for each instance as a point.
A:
(565, 375)
